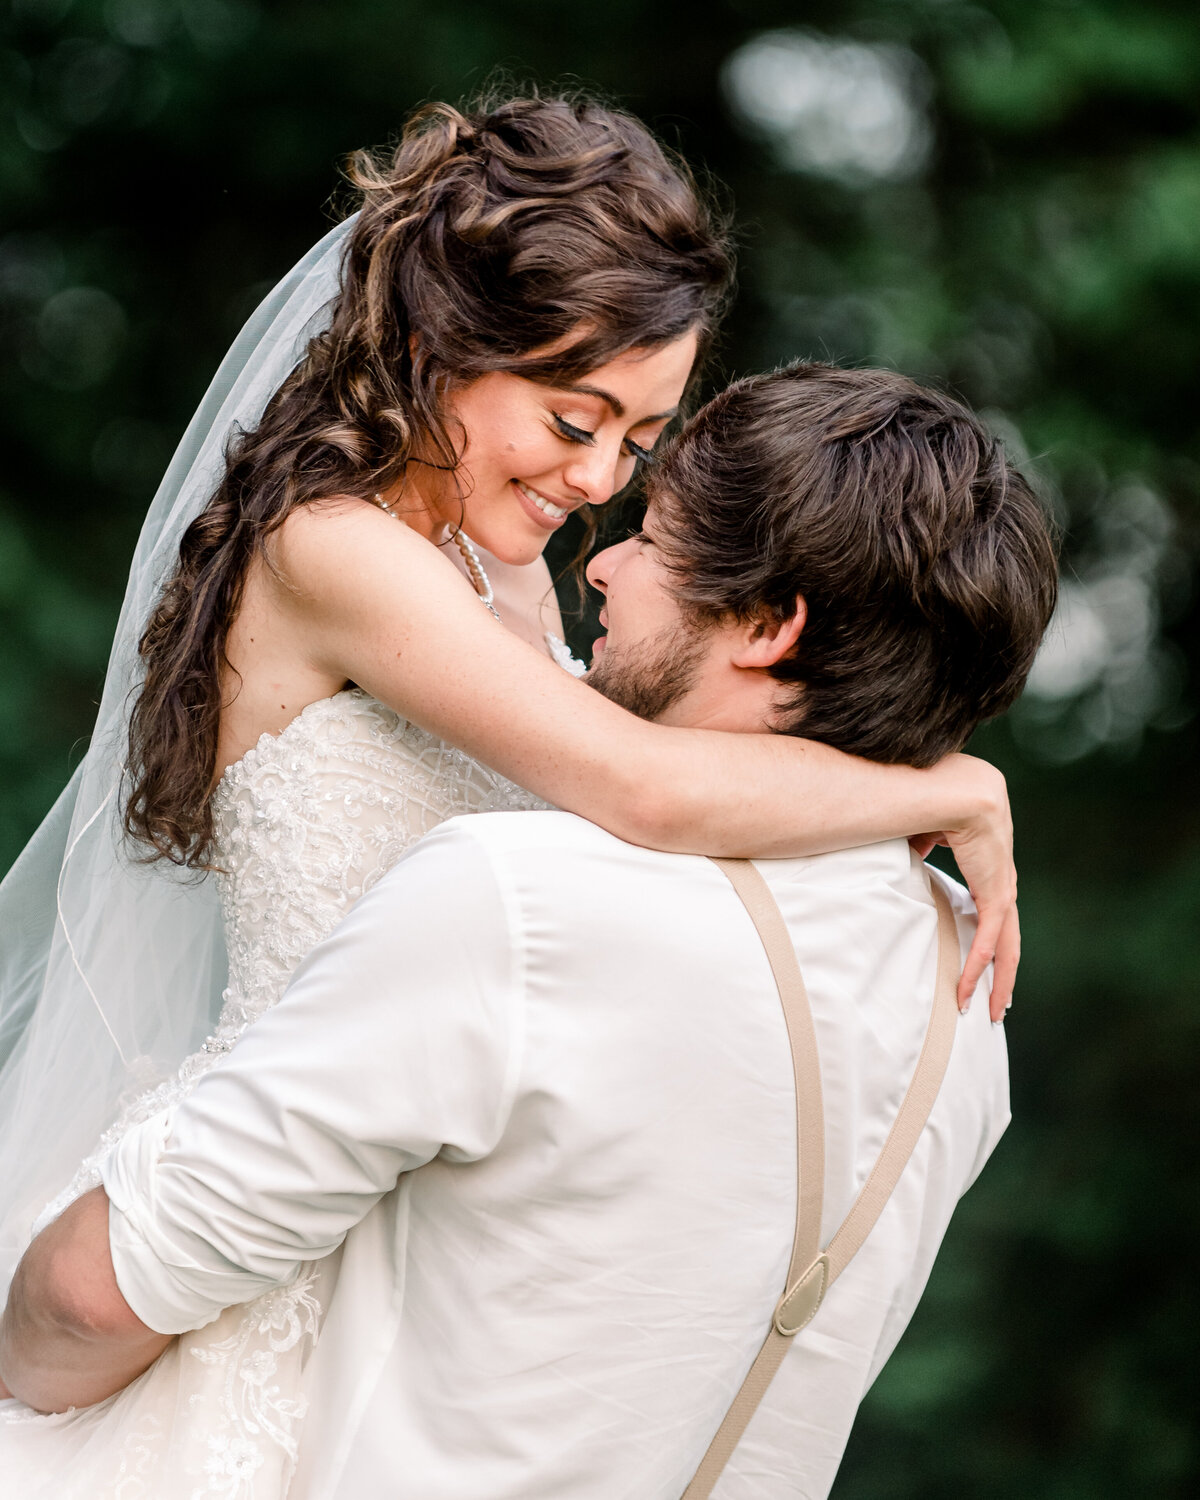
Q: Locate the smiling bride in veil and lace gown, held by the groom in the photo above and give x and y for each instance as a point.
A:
(313, 670)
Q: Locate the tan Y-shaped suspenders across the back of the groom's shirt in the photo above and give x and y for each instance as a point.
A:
(814, 1271)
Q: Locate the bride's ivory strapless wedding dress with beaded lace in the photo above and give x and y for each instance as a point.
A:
(305, 823)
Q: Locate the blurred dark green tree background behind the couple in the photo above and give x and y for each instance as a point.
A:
(1000, 197)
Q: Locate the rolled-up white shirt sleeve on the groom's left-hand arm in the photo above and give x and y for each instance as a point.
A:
(397, 1042)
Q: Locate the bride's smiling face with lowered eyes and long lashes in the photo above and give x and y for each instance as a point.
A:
(535, 454)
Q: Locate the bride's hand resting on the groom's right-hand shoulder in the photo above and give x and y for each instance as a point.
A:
(983, 848)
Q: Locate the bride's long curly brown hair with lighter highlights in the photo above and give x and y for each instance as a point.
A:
(490, 233)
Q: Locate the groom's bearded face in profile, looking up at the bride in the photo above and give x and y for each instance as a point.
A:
(652, 655)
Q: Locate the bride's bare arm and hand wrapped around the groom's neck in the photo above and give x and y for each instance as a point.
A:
(373, 602)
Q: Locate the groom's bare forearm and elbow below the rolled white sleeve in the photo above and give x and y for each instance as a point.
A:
(68, 1336)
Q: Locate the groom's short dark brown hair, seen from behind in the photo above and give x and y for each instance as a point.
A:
(925, 559)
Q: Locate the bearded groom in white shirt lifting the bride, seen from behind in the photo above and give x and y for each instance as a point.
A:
(538, 1084)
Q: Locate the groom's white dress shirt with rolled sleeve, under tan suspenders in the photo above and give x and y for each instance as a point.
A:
(539, 1084)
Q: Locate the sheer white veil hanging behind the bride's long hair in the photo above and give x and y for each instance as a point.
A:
(110, 970)
